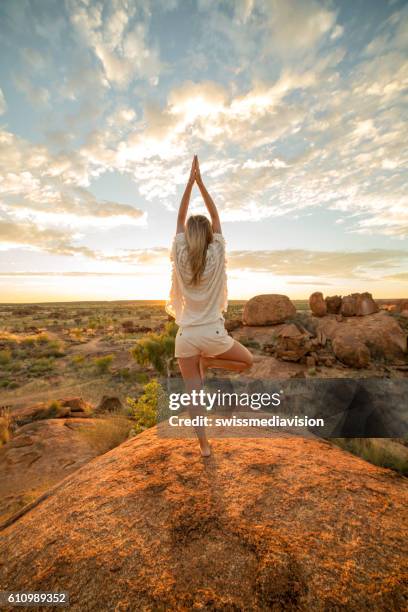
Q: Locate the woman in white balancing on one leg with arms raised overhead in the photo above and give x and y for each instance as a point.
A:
(198, 297)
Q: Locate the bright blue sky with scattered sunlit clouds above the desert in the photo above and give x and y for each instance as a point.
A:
(297, 110)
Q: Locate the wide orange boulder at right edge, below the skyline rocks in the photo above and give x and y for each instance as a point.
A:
(379, 333)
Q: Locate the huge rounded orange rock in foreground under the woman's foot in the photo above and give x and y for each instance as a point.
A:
(264, 524)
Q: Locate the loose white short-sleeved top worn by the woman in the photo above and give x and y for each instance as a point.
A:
(205, 302)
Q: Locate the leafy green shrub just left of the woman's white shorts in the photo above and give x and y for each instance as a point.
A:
(157, 349)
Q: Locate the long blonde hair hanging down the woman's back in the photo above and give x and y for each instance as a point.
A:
(199, 235)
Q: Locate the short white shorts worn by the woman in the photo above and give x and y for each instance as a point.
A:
(210, 339)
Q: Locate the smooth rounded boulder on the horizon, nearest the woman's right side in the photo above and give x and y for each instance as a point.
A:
(269, 309)
